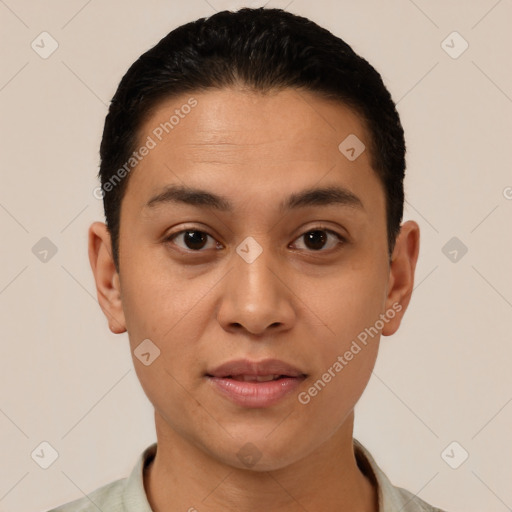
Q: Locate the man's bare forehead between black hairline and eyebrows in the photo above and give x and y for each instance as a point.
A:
(236, 141)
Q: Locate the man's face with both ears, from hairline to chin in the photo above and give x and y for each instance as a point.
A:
(283, 255)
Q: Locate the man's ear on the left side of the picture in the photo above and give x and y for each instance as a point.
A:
(106, 276)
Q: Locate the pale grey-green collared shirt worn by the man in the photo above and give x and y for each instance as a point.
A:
(128, 494)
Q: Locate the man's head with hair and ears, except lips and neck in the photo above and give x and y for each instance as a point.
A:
(241, 116)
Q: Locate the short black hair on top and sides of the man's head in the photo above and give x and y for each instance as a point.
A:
(262, 50)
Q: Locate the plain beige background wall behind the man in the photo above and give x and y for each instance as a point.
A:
(444, 377)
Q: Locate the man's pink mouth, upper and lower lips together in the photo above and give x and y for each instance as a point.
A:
(255, 394)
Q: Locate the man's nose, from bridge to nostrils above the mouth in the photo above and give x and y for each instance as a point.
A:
(256, 297)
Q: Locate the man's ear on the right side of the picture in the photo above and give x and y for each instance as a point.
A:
(401, 275)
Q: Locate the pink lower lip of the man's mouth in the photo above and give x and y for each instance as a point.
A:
(256, 394)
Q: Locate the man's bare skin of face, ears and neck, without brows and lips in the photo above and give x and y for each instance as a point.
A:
(296, 303)
